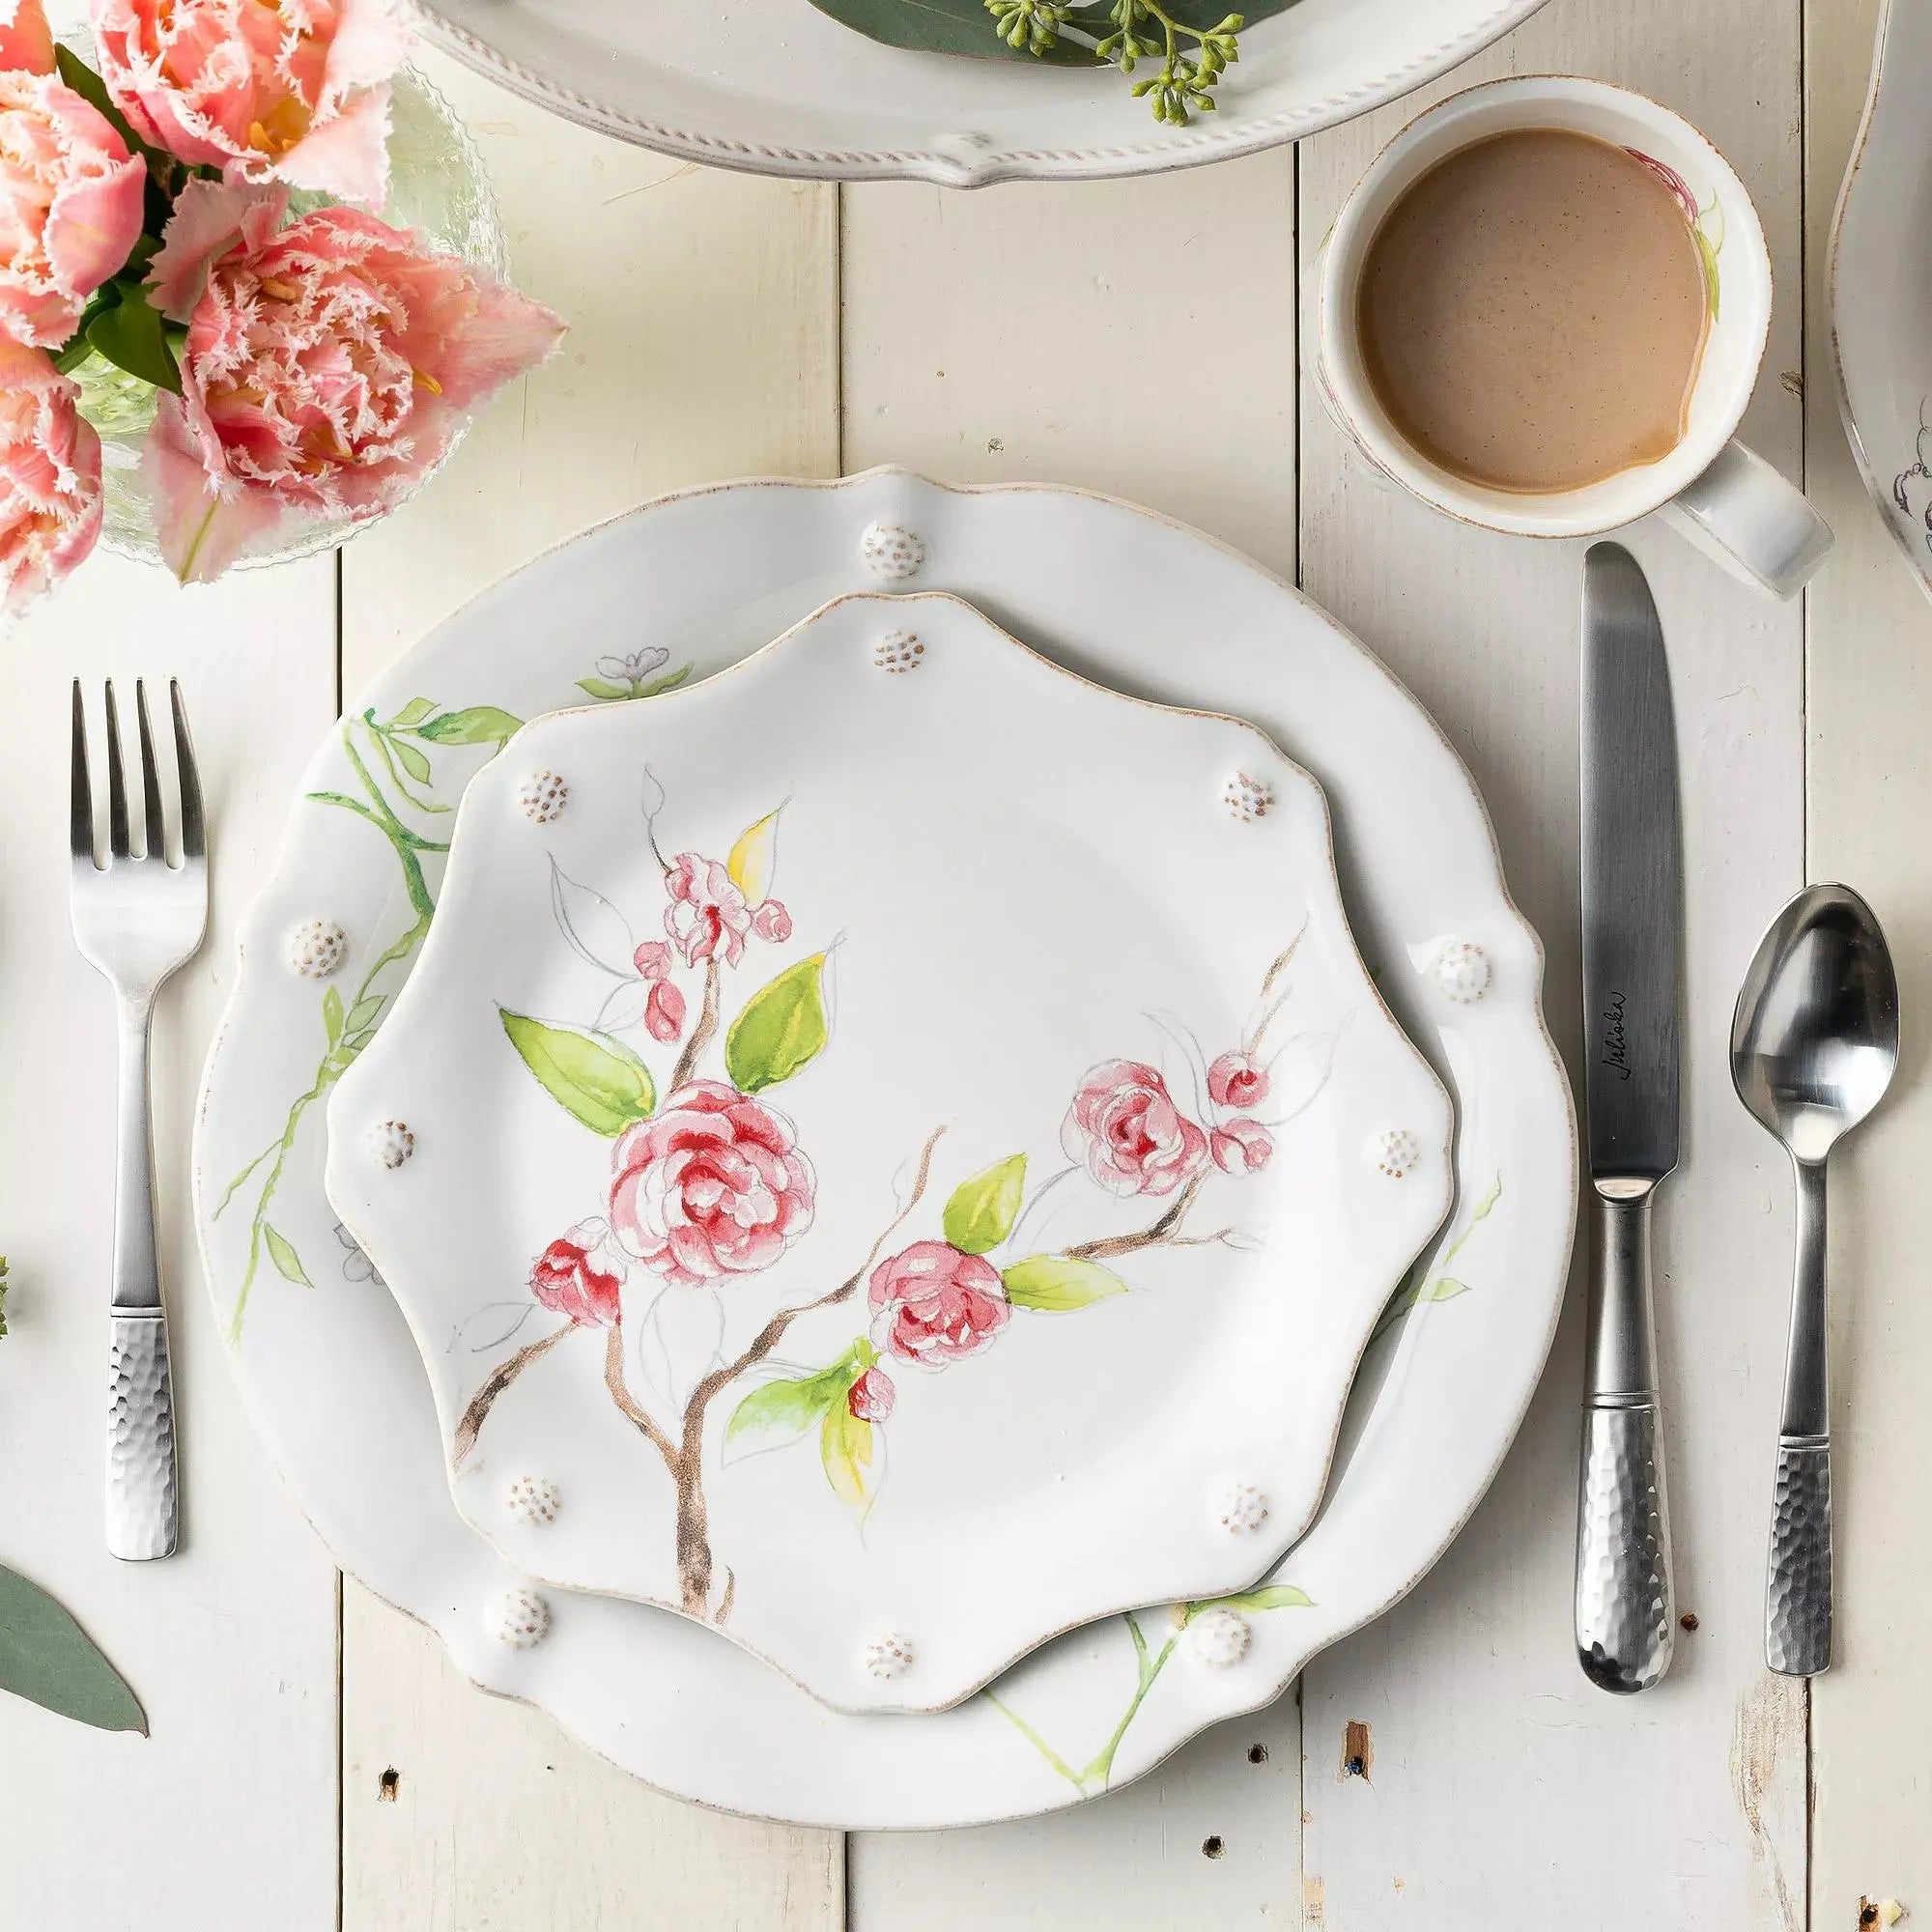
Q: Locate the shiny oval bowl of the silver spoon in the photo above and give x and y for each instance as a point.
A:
(1817, 1033)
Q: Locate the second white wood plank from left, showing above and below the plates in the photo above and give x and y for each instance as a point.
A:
(704, 327)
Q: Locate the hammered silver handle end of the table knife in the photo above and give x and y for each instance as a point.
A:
(1626, 1628)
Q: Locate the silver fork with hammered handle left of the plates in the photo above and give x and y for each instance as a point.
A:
(136, 921)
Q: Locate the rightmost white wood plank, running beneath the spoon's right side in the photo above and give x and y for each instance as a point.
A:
(1869, 695)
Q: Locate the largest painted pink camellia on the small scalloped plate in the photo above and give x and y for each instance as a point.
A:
(714, 1187)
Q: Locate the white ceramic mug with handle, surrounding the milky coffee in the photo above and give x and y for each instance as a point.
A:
(1728, 501)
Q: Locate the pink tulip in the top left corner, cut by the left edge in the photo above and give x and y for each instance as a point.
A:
(71, 192)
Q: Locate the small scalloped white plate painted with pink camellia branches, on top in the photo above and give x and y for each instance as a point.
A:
(897, 1145)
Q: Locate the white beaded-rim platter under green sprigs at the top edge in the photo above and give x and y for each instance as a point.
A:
(778, 88)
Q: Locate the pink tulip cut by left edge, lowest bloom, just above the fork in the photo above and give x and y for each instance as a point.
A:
(49, 476)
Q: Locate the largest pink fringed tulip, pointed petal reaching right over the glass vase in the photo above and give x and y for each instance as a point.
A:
(327, 366)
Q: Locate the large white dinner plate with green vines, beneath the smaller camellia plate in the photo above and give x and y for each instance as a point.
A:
(704, 579)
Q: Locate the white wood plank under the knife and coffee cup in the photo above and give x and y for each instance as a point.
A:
(1504, 1788)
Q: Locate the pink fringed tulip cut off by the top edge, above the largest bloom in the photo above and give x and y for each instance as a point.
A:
(264, 90)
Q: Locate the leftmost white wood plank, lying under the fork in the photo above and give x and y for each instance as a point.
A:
(225, 1817)
